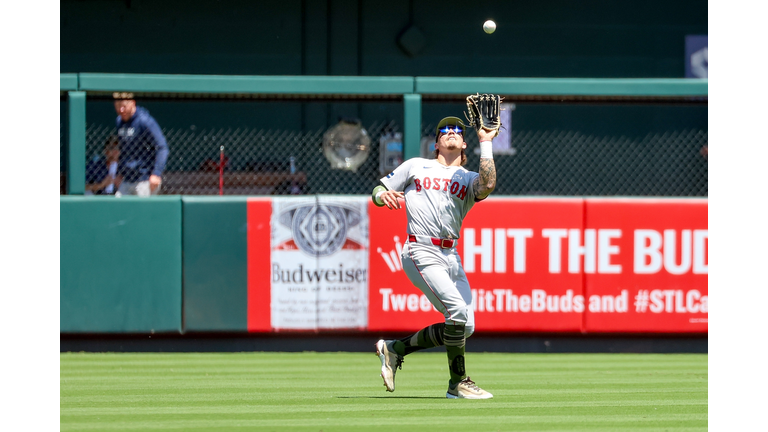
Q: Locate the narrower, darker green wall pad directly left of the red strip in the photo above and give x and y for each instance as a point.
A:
(215, 264)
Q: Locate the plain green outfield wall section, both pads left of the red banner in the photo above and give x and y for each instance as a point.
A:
(134, 265)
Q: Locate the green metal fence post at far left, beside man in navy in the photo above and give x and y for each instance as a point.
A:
(76, 144)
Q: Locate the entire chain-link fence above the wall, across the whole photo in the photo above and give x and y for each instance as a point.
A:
(257, 161)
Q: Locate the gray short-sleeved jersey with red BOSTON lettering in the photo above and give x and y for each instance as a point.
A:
(437, 196)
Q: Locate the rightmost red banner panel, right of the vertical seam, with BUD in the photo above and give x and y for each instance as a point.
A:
(646, 269)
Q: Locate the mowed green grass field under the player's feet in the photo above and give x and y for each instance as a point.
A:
(343, 391)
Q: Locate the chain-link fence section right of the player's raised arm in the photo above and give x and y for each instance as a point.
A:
(572, 163)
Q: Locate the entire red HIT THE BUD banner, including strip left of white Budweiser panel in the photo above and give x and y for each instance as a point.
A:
(536, 265)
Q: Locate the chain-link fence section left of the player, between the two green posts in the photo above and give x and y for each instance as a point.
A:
(254, 161)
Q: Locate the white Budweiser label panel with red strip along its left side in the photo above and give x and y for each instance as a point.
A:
(308, 263)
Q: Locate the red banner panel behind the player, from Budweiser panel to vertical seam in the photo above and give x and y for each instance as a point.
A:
(505, 249)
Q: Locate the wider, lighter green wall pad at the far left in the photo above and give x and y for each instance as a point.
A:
(120, 264)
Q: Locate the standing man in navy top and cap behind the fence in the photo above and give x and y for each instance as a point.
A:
(144, 150)
